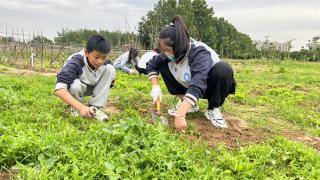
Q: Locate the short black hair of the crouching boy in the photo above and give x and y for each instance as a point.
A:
(98, 43)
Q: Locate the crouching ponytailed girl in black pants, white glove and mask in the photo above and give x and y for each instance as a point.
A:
(190, 70)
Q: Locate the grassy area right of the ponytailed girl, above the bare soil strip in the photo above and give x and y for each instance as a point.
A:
(285, 92)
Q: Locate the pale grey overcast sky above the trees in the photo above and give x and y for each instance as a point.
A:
(281, 20)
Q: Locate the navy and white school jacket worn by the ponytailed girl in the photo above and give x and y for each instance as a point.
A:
(192, 72)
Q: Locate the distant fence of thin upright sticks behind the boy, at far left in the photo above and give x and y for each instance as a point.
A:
(17, 48)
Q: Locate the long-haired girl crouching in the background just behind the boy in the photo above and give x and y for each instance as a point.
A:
(125, 61)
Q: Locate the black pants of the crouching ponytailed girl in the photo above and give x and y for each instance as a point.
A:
(220, 84)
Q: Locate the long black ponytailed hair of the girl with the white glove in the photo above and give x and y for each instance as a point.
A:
(176, 35)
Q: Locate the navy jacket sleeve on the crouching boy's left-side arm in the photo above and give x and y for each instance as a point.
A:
(71, 70)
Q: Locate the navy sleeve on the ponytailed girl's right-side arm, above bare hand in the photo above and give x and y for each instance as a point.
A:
(200, 66)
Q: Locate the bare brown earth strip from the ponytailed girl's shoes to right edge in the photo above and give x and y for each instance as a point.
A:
(237, 134)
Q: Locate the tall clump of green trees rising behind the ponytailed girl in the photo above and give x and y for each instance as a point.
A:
(202, 25)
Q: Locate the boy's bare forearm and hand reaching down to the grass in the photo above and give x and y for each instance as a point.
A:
(85, 111)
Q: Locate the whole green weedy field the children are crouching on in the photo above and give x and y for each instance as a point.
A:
(274, 120)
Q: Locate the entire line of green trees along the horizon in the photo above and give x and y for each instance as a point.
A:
(218, 33)
